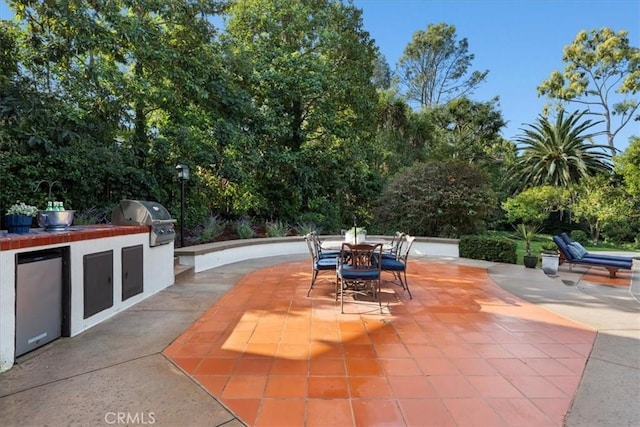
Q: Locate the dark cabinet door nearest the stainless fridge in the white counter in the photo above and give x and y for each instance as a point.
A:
(98, 282)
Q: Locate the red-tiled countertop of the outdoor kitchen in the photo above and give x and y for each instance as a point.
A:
(42, 237)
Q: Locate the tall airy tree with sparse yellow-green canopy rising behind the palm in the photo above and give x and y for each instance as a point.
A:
(599, 65)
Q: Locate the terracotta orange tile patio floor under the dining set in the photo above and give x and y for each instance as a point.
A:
(462, 352)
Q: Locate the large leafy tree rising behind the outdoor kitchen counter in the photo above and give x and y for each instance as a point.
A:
(114, 77)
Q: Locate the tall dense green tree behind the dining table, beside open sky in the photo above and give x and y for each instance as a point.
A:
(308, 66)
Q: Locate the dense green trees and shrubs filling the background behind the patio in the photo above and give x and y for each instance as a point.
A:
(287, 113)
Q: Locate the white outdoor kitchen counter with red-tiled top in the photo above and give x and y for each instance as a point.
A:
(106, 269)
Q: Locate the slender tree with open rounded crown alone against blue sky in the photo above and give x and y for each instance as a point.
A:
(434, 67)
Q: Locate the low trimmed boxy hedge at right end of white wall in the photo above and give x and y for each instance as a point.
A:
(488, 248)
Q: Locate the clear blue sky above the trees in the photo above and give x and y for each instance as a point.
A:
(520, 42)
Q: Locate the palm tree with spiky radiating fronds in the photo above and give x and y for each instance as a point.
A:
(559, 153)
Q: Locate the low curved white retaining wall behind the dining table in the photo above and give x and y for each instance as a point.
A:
(212, 255)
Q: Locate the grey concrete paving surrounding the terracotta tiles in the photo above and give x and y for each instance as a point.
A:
(115, 373)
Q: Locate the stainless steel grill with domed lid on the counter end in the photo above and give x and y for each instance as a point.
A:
(153, 214)
